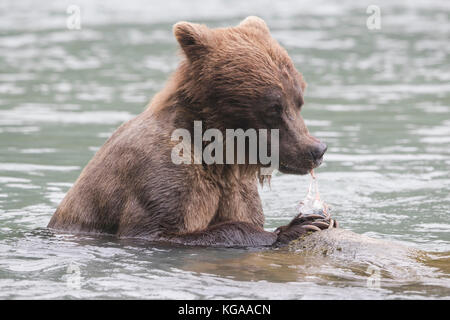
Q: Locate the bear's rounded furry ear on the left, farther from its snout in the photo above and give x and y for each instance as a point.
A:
(192, 37)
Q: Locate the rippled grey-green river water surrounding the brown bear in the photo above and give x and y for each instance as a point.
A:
(380, 99)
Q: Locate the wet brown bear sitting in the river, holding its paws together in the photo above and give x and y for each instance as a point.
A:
(237, 77)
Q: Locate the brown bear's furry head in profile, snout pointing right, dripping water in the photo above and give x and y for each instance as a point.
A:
(240, 77)
